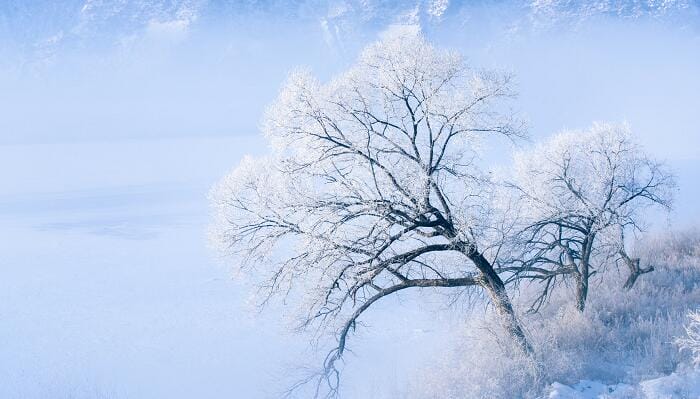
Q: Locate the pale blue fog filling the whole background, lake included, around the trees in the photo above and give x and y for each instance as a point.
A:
(115, 121)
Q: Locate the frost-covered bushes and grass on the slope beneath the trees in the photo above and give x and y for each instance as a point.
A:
(623, 336)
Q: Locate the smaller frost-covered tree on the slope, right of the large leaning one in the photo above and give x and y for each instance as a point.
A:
(580, 192)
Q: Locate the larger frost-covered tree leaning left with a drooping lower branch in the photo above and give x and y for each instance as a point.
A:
(374, 186)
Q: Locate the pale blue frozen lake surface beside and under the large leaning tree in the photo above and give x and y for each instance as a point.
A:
(108, 289)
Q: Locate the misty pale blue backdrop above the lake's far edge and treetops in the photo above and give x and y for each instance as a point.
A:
(106, 70)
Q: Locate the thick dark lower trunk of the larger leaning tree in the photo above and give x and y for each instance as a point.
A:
(499, 297)
